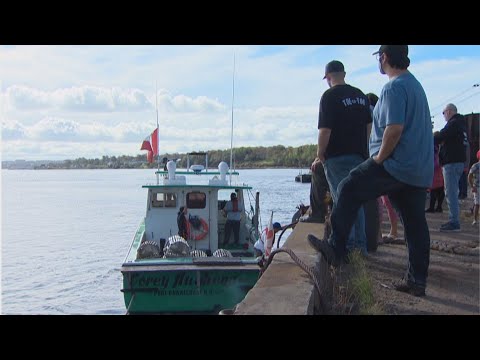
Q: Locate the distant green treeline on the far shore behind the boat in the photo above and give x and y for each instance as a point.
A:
(243, 158)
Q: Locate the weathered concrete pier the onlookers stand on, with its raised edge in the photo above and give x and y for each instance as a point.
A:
(453, 286)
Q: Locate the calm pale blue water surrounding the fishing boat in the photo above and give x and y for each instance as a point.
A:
(65, 233)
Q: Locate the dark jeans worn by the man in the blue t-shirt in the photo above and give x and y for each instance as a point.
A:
(368, 181)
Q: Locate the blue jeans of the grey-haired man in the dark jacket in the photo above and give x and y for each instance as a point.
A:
(451, 176)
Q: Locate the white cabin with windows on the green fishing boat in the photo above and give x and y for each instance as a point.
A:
(204, 202)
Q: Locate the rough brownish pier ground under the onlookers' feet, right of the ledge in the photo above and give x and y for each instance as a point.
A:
(453, 284)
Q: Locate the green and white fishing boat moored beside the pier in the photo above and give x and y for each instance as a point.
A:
(165, 273)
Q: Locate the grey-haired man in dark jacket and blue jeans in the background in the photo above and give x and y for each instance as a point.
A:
(452, 157)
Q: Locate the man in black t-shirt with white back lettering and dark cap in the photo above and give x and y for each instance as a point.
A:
(344, 124)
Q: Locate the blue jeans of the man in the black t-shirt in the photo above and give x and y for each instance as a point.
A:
(336, 169)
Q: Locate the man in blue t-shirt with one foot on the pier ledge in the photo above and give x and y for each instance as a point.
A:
(400, 165)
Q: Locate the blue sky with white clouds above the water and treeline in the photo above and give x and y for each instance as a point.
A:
(64, 102)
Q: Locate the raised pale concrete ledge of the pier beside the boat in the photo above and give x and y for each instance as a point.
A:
(286, 289)
